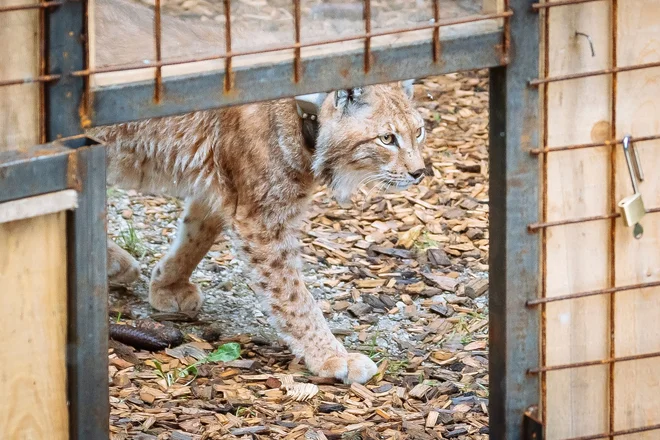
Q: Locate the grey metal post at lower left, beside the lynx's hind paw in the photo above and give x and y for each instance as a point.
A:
(88, 301)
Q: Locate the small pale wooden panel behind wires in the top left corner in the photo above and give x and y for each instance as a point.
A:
(19, 118)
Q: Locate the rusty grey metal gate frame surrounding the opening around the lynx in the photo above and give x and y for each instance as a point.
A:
(70, 160)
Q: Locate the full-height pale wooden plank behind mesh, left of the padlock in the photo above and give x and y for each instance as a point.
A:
(578, 111)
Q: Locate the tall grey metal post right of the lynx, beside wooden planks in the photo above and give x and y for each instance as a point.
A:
(514, 252)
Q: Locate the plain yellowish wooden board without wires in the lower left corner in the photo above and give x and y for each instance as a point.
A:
(33, 329)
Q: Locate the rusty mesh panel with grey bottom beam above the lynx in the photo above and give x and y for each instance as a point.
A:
(178, 56)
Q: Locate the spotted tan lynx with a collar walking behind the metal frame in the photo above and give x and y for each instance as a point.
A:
(252, 169)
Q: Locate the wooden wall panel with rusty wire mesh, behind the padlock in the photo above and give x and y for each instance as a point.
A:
(600, 290)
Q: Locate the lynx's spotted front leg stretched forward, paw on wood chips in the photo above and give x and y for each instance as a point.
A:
(273, 251)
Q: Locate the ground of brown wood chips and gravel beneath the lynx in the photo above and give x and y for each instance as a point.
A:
(400, 277)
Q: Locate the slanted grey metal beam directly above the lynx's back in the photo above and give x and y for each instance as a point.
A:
(187, 93)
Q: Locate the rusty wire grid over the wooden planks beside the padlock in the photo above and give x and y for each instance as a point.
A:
(541, 227)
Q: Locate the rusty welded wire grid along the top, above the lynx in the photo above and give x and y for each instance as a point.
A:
(229, 54)
